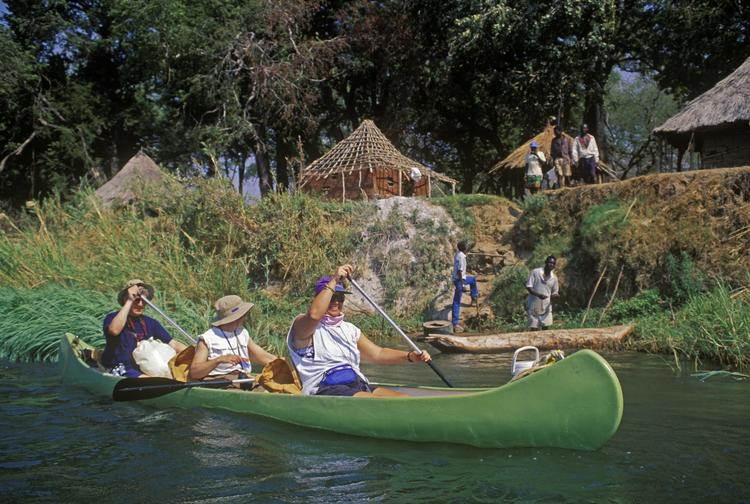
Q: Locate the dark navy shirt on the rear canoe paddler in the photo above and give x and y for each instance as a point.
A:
(119, 349)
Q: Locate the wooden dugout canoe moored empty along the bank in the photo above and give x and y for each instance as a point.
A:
(544, 340)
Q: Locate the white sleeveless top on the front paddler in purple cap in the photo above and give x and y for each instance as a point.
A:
(332, 346)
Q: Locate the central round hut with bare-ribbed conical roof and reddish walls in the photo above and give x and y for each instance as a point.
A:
(366, 165)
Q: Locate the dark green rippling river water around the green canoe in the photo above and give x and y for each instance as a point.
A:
(681, 440)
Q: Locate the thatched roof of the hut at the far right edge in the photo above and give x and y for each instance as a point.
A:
(726, 103)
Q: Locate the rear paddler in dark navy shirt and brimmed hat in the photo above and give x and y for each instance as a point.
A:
(125, 328)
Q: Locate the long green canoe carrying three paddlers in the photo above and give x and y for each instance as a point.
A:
(575, 403)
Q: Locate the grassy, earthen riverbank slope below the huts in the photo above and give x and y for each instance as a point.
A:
(624, 257)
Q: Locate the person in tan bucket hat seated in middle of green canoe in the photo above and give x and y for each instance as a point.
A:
(226, 350)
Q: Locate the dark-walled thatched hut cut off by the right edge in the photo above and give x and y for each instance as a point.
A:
(716, 124)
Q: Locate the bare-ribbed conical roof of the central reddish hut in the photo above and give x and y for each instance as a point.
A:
(365, 149)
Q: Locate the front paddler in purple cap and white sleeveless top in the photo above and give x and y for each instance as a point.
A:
(326, 350)
